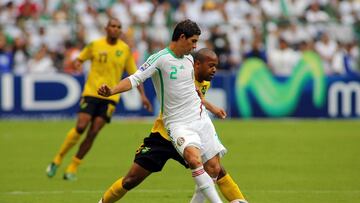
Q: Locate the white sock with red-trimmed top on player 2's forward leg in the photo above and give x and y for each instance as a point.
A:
(205, 184)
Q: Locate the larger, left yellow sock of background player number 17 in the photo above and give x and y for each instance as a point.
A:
(71, 139)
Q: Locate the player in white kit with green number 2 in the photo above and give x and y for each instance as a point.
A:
(189, 127)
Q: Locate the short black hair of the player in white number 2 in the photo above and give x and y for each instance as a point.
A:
(187, 27)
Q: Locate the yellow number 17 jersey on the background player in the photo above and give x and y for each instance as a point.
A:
(108, 63)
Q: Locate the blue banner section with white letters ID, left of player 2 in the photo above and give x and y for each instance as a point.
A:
(57, 95)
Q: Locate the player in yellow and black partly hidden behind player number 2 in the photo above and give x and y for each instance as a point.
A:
(156, 149)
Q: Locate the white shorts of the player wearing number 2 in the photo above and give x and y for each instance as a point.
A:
(201, 134)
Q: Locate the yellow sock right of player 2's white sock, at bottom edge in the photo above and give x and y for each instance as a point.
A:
(229, 188)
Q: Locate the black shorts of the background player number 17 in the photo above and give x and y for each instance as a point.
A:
(97, 107)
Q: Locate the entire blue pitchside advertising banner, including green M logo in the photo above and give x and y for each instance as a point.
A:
(252, 92)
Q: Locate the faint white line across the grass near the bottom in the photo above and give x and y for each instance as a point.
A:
(55, 192)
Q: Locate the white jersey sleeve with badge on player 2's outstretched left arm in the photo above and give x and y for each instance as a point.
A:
(145, 71)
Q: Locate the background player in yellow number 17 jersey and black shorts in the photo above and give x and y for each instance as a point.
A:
(110, 57)
